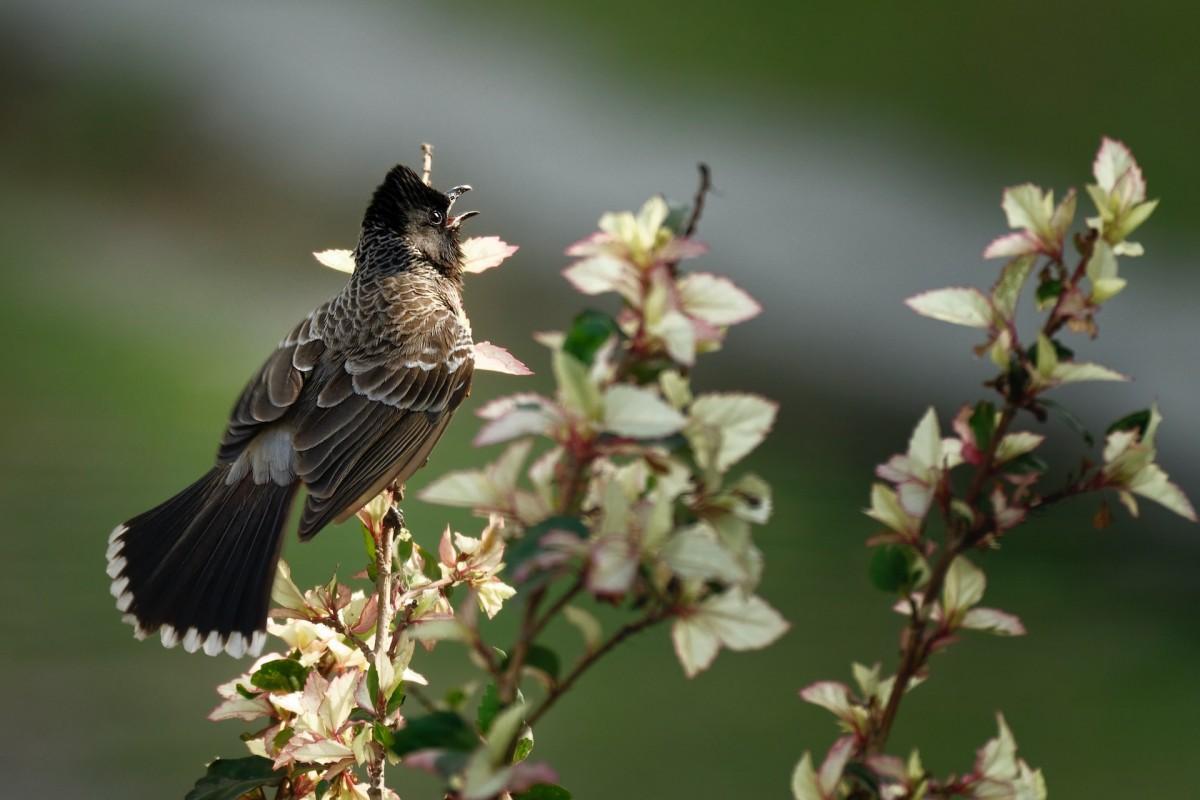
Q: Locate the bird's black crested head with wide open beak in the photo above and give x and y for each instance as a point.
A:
(409, 220)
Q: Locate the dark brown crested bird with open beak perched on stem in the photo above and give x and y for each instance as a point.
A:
(351, 402)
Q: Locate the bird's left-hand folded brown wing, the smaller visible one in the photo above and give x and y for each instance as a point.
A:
(278, 386)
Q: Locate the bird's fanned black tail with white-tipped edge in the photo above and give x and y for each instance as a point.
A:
(200, 568)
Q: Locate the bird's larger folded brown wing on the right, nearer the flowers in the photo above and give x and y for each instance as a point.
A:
(379, 416)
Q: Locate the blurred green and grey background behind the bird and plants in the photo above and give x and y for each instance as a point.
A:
(166, 171)
